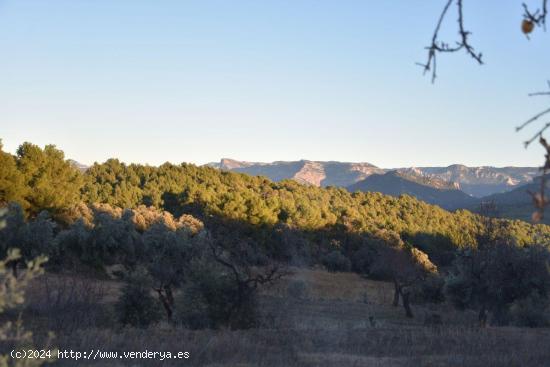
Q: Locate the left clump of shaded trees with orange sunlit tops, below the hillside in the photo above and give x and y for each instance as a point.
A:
(108, 235)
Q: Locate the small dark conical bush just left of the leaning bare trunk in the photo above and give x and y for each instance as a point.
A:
(136, 306)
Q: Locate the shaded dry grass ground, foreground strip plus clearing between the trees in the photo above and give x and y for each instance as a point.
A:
(328, 328)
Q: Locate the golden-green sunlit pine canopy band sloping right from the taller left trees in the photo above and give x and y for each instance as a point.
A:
(258, 201)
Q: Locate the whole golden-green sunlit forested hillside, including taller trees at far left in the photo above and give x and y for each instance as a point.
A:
(40, 179)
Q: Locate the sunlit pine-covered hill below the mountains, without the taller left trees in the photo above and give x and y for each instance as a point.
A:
(315, 215)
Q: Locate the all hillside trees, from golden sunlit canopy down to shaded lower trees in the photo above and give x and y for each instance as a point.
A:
(202, 241)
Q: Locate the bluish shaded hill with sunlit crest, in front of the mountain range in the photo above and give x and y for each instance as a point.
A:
(430, 190)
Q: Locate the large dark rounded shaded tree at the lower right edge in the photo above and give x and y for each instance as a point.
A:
(496, 274)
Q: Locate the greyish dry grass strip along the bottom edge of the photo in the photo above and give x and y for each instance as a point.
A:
(416, 346)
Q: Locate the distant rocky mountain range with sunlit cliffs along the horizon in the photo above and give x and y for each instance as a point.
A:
(452, 187)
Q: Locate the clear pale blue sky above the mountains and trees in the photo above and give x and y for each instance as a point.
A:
(195, 81)
